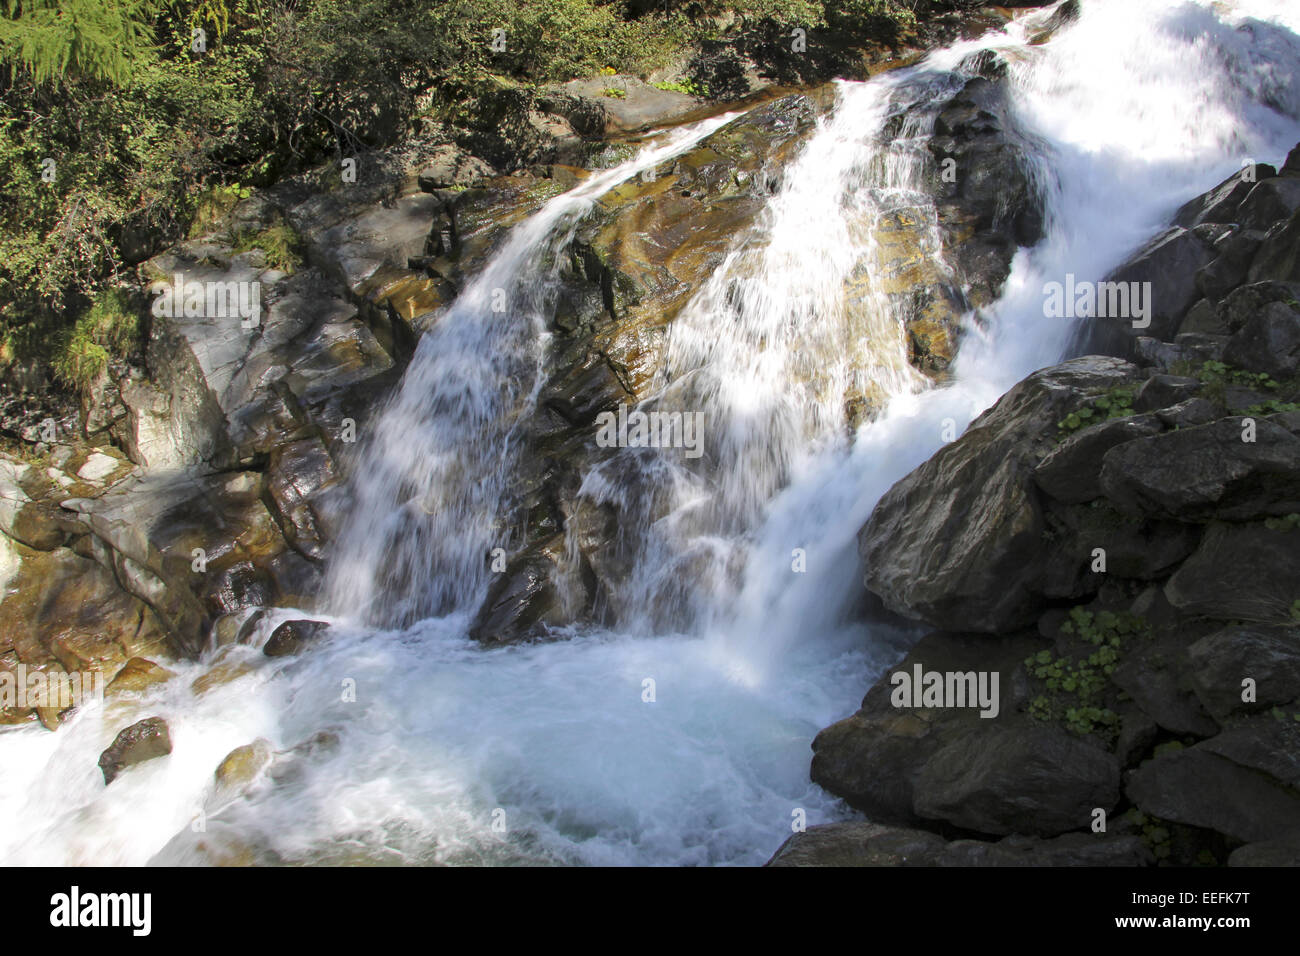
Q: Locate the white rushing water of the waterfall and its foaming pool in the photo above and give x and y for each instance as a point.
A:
(549, 754)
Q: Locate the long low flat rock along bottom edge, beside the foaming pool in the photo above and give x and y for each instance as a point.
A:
(874, 845)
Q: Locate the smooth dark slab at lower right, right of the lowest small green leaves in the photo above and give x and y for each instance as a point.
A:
(1201, 789)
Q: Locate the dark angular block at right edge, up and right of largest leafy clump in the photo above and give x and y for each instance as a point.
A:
(1240, 573)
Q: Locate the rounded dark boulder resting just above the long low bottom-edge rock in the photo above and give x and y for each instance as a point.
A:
(1034, 780)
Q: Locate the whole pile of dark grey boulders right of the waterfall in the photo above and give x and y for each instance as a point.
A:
(1117, 542)
